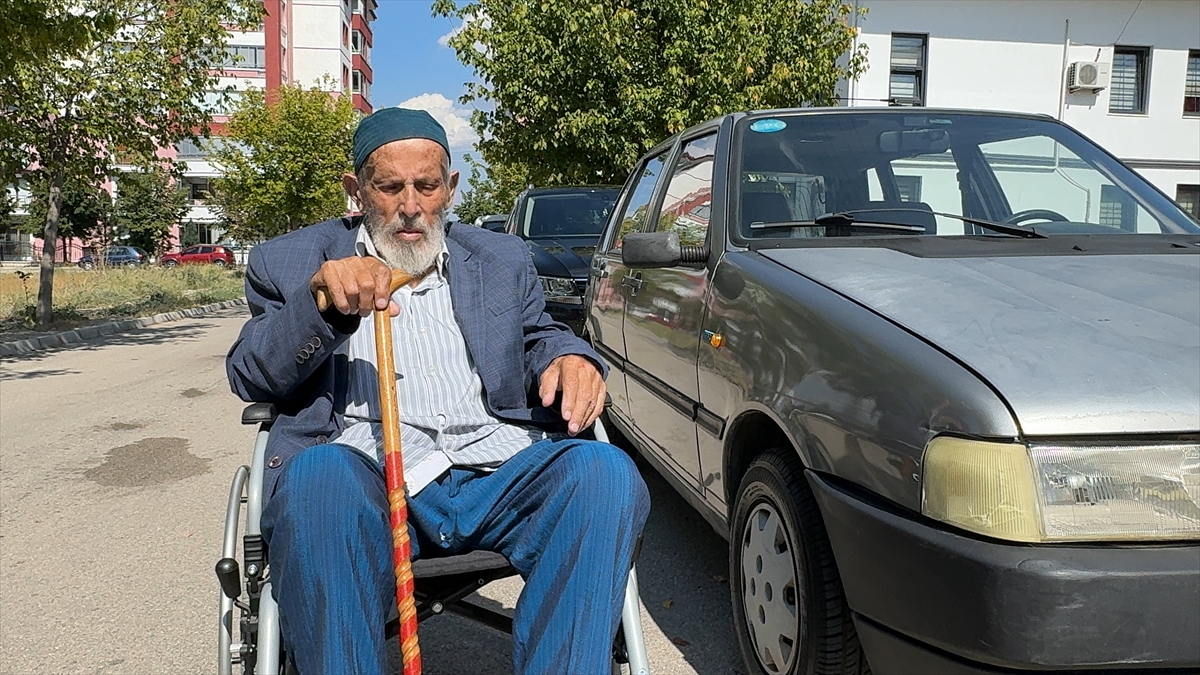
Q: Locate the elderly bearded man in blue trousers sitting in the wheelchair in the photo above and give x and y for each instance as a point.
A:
(479, 366)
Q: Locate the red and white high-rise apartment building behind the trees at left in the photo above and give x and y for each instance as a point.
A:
(325, 44)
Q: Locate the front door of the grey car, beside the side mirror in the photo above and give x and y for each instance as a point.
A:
(664, 313)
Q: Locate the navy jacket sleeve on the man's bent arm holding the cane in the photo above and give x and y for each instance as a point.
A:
(286, 339)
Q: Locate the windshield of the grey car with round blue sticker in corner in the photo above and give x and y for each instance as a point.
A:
(927, 171)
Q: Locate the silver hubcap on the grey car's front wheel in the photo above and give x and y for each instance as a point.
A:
(770, 593)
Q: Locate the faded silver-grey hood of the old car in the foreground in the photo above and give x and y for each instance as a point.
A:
(1076, 345)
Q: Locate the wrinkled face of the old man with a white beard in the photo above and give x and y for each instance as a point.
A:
(405, 196)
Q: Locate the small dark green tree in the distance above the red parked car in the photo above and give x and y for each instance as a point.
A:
(149, 202)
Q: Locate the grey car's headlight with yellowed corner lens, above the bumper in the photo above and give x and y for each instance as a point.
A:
(1065, 493)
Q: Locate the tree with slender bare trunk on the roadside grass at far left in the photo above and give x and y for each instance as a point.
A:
(131, 91)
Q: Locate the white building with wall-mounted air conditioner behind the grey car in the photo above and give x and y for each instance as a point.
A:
(1021, 55)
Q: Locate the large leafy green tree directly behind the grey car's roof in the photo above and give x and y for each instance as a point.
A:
(580, 89)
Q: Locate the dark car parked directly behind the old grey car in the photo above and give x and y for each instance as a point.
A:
(562, 226)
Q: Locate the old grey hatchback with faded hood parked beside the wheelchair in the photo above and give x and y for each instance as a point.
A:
(934, 374)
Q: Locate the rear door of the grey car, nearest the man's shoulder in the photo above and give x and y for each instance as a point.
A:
(608, 289)
